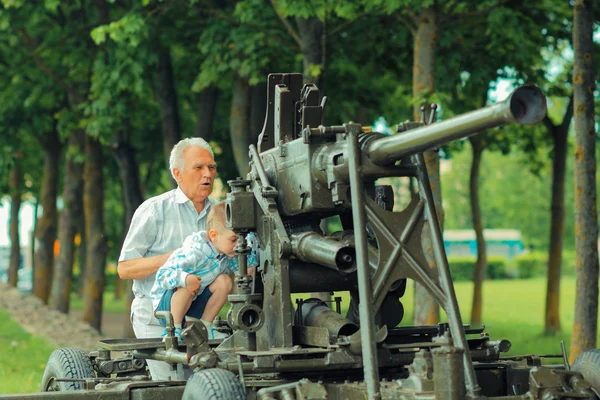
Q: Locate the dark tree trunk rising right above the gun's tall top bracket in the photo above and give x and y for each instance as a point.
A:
(312, 32)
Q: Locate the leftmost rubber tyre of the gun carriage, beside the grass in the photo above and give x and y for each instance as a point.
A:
(67, 363)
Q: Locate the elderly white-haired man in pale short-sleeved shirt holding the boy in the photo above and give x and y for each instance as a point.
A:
(158, 227)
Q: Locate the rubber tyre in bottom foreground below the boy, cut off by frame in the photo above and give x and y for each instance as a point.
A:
(214, 384)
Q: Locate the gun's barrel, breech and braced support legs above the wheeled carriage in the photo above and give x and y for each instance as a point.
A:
(303, 172)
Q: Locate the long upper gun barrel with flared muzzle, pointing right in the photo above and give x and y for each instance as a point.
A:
(526, 105)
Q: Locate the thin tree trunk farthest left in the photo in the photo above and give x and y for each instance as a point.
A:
(15, 184)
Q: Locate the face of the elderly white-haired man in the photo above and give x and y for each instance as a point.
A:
(196, 179)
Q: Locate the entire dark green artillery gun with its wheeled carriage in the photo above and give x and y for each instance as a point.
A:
(302, 173)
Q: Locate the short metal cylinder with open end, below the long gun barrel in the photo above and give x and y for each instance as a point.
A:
(314, 248)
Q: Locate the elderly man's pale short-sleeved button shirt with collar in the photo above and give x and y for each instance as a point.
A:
(160, 225)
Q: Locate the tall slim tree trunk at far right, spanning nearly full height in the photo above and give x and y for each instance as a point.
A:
(586, 217)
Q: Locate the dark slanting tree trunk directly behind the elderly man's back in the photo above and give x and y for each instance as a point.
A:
(132, 195)
